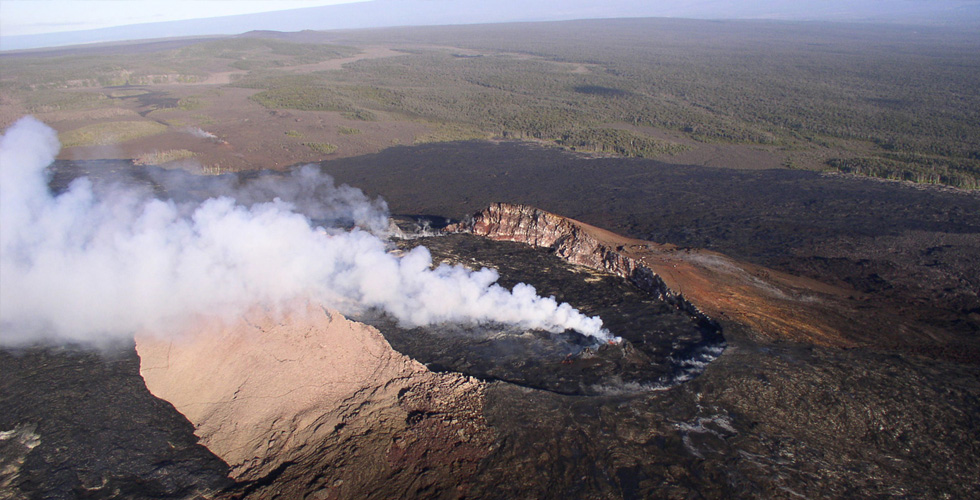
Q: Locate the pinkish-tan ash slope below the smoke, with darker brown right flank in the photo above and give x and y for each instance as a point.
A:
(307, 402)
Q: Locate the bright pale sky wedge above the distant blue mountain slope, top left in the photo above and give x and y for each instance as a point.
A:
(27, 17)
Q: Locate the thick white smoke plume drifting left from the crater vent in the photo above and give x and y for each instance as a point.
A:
(90, 265)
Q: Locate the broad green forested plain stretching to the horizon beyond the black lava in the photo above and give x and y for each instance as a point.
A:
(890, 101)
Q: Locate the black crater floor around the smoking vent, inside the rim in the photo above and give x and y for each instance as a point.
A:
(661, 344)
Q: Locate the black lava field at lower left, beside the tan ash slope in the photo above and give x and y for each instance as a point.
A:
(98, 431)
